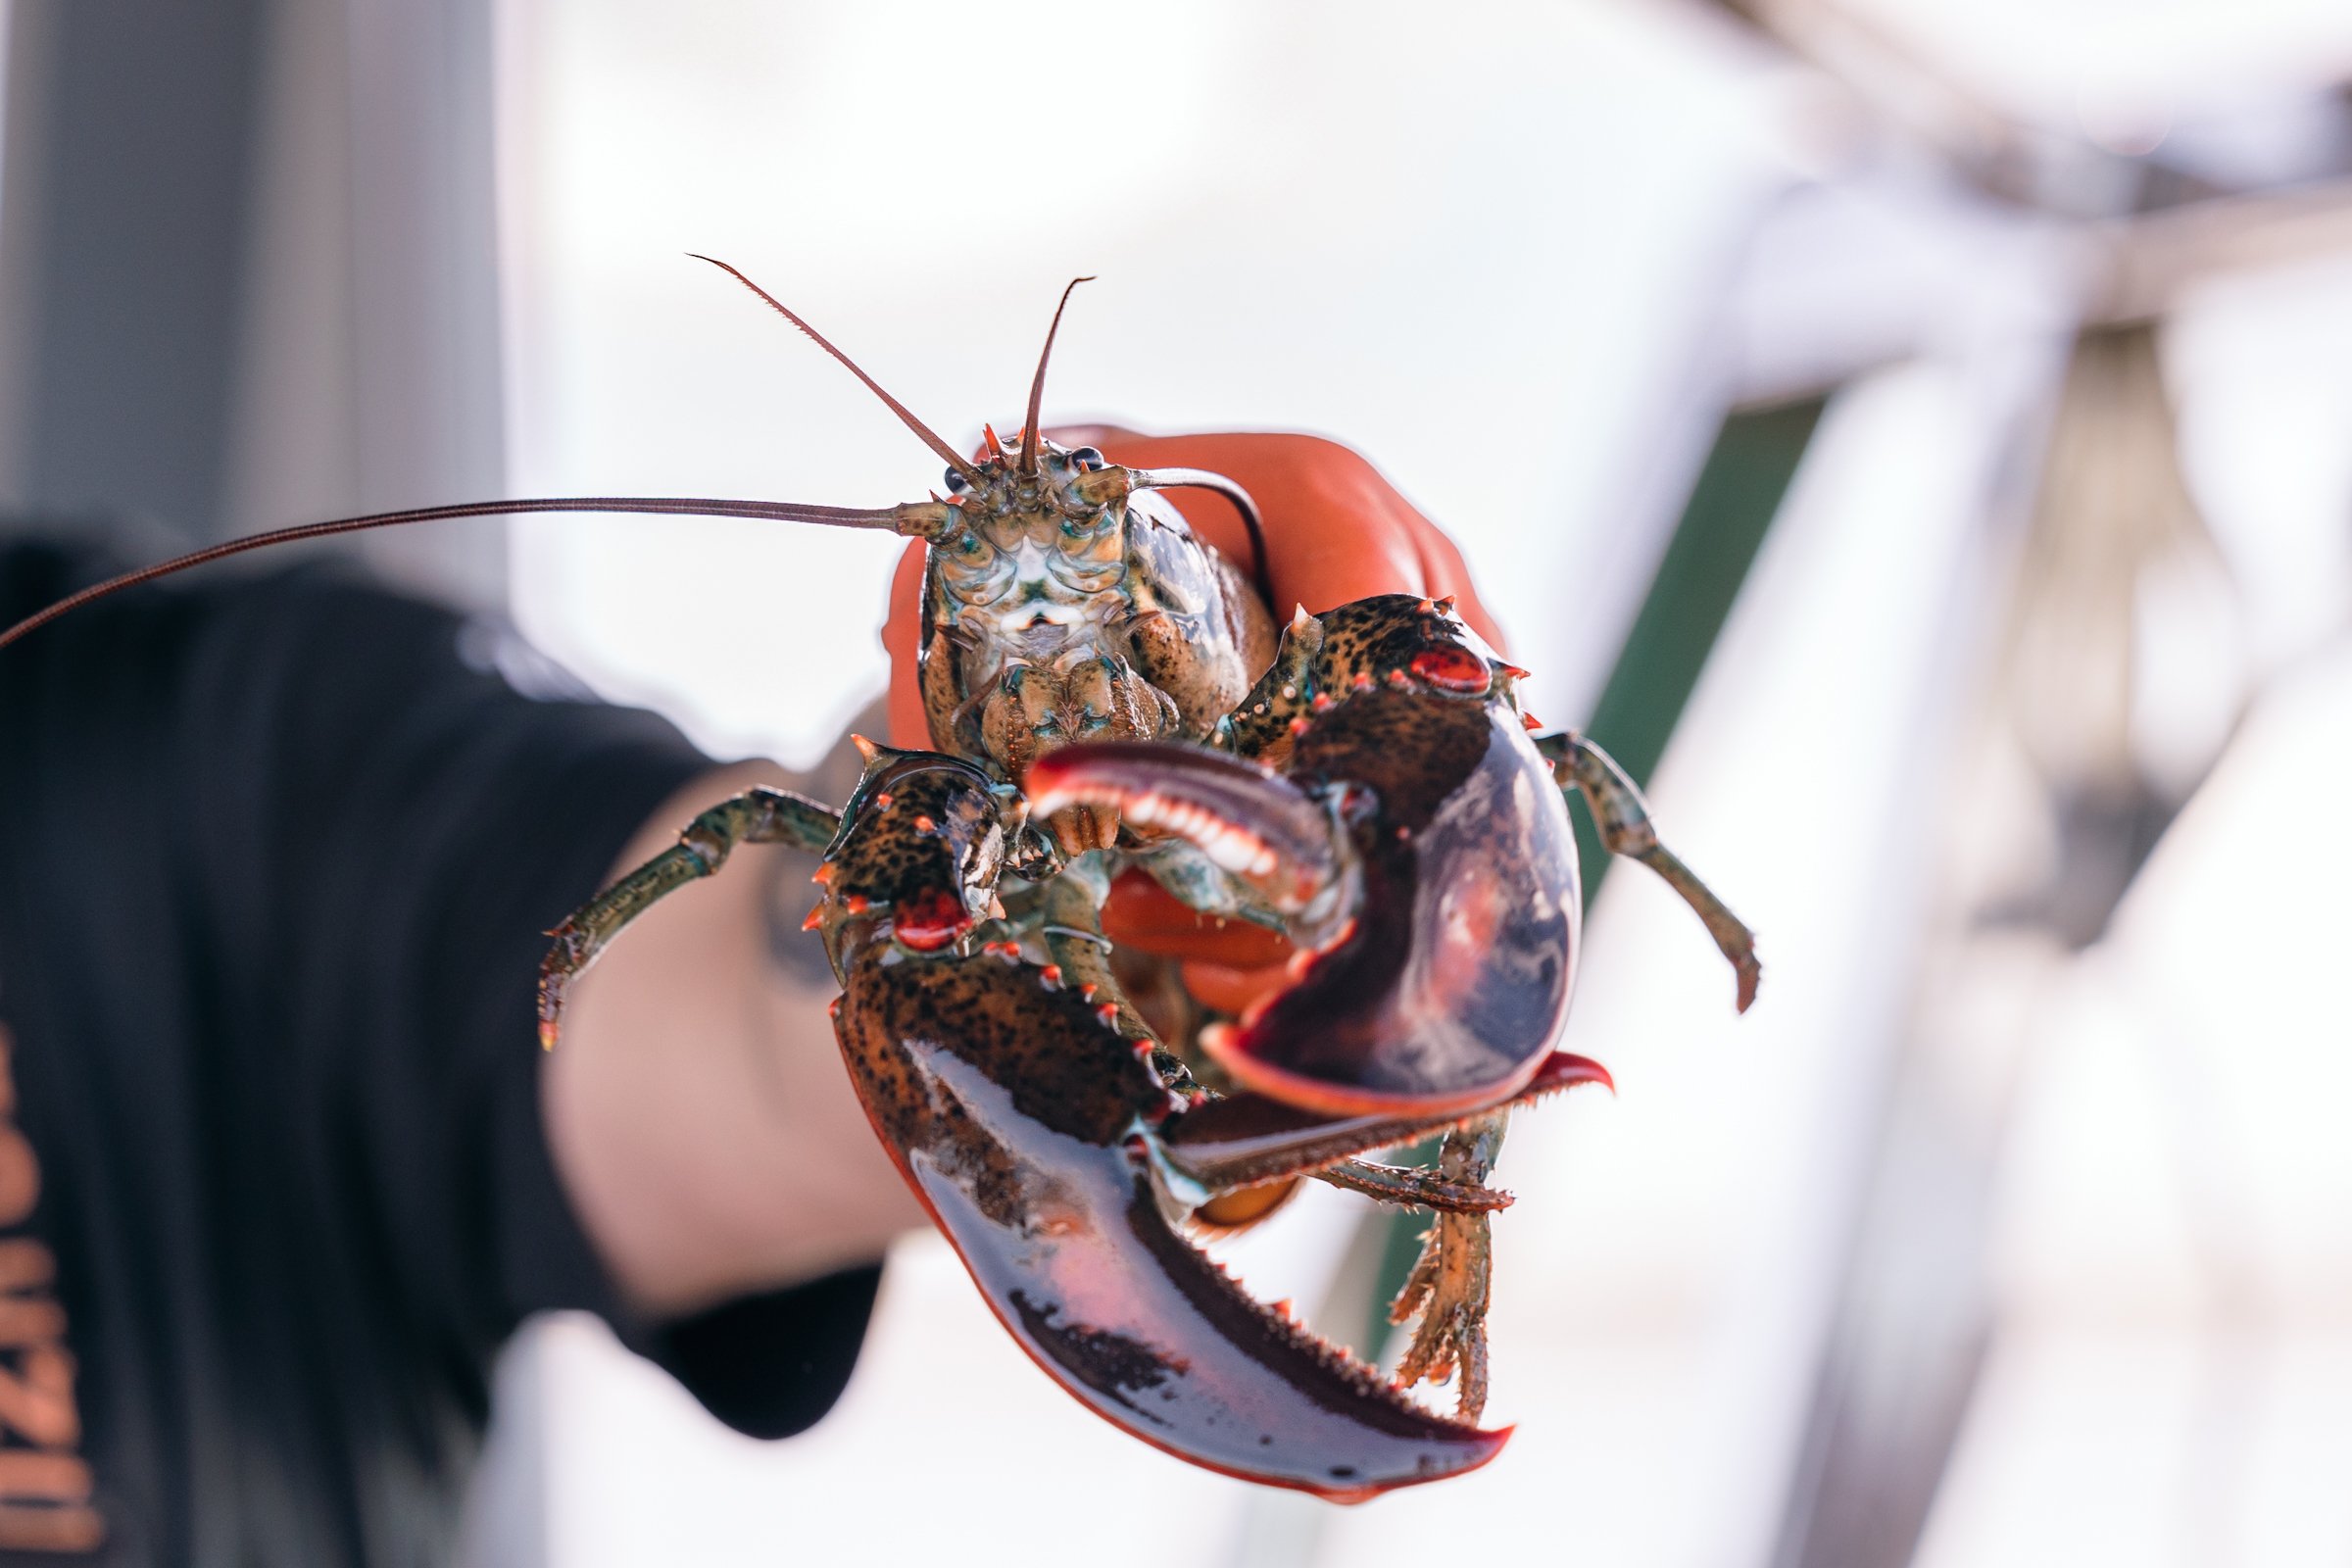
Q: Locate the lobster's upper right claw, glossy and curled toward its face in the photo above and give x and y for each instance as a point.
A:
(1419, 855)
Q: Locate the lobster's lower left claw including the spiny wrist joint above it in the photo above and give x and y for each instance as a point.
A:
(1029, 1127)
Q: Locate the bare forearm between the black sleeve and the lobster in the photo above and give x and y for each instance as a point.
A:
(697, 1106)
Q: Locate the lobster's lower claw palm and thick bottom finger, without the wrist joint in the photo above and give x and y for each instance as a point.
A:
(1027, 1127)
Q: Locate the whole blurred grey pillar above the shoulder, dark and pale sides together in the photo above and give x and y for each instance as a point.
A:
(248, 272)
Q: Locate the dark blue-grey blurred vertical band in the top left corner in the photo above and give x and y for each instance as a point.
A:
(121, 250)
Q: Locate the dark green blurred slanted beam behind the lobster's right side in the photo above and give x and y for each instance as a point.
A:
(1716, 544)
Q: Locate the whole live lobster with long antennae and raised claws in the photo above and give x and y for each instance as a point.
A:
(1109, 702)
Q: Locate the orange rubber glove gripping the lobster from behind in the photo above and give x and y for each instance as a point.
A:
(1335, 532)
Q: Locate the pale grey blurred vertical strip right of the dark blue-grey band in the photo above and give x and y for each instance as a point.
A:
(373, 342)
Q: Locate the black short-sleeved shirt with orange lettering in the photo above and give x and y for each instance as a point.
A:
(276, 859)
